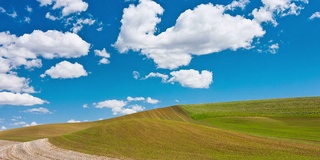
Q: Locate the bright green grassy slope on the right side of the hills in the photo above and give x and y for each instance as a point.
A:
(296, 119)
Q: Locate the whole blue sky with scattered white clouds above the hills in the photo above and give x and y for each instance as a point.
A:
(79, 60)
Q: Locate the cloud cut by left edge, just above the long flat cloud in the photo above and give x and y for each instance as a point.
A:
(13, 83)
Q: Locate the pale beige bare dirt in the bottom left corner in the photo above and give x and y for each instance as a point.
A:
(40, 150)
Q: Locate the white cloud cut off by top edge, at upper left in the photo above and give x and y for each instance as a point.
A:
(68, 6)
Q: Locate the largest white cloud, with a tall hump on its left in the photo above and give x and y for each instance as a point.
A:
(204, 30)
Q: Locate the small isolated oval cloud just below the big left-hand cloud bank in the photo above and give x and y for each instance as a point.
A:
(64, 70)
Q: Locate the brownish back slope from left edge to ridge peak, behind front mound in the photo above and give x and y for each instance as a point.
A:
(53, 130)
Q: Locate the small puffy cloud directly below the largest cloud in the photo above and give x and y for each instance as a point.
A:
(192, 78)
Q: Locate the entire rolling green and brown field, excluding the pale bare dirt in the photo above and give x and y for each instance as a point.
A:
(265, 129)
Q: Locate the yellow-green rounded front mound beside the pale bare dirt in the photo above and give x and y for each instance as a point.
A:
(164, 139)
